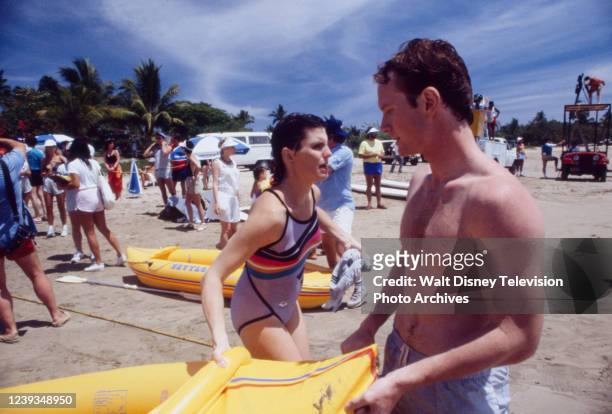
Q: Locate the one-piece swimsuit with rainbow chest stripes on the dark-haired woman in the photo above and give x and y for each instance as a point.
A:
(272, 278)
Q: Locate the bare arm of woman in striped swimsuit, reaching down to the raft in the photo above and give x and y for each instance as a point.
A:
(264, 226)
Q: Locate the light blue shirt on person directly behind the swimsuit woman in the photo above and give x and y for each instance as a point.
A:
(336, 189)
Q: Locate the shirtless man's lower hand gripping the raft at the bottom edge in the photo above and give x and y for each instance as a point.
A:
(379, 398)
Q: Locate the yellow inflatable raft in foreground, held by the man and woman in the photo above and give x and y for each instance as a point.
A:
(246, 385)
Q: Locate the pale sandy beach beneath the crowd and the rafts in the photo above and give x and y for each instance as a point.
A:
(570, 373)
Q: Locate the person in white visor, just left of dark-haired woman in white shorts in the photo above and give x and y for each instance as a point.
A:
(54, 163)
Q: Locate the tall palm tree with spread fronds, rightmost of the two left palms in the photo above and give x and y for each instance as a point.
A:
(146, 99)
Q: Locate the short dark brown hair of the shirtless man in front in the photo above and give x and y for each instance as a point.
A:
(423, 62)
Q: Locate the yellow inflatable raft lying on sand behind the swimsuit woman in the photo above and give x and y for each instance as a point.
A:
(179, 269)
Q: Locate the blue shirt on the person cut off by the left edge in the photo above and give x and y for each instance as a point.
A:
(8, 226)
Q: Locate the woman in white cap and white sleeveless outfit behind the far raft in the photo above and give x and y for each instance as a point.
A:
(226, 181)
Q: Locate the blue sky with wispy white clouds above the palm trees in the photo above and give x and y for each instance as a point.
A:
(313, 56)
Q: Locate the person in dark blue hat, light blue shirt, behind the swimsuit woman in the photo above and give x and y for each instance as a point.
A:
(336, 197)
